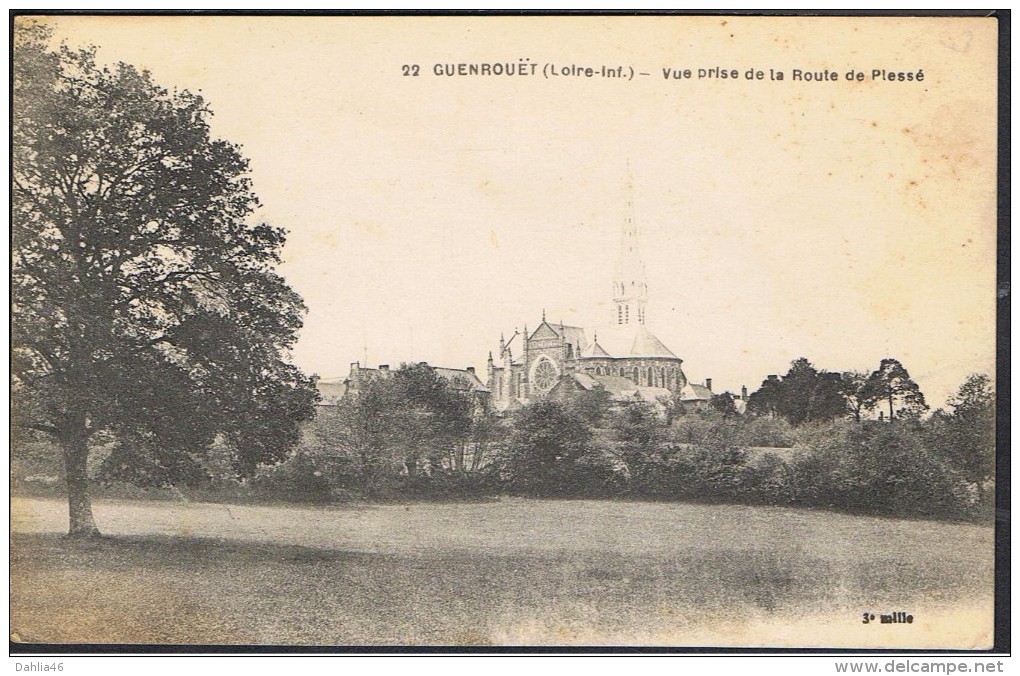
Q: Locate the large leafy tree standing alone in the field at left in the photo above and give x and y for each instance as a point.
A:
(146, 307)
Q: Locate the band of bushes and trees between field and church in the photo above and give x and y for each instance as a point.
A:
(416, 436)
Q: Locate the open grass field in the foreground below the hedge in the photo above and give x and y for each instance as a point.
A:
(506, 573)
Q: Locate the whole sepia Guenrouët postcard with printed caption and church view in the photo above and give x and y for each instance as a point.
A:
(655, 331)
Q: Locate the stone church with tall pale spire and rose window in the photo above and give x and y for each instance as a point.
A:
(625, 358)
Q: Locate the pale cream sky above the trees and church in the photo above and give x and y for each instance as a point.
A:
(844, 222)
